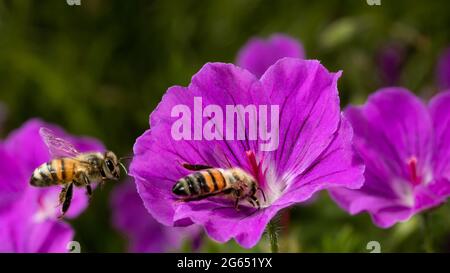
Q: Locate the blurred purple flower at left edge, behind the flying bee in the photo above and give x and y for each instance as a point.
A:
(28, 215)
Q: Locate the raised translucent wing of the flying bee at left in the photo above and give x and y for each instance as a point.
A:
(57, 146)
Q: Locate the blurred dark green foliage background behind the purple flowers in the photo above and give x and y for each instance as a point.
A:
(100, 68)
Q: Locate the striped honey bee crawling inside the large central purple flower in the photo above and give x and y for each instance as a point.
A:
(207, 181)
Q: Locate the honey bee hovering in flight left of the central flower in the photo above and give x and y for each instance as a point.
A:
(70, 167)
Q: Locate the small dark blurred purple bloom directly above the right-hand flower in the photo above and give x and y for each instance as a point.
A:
(390, 61)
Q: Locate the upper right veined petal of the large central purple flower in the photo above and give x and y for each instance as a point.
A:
(309, 105)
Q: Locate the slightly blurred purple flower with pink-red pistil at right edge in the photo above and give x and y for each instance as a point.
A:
(405, 146)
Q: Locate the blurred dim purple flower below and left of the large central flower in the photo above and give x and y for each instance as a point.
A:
(145, 233)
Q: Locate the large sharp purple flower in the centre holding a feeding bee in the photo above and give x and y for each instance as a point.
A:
(312, 138)
